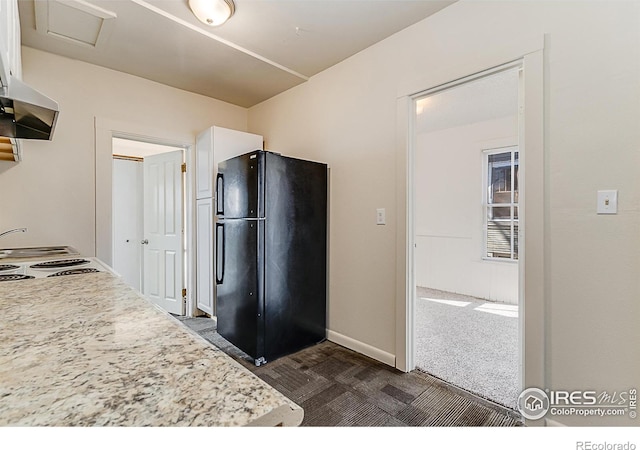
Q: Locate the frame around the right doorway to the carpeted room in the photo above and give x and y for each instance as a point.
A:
(532, 218)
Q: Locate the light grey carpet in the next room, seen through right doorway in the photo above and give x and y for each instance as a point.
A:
(469, 342)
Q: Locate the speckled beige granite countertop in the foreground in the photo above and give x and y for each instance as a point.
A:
(88, 350)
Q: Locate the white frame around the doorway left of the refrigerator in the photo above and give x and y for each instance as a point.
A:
(105, 131)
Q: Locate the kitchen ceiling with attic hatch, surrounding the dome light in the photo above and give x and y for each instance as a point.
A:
(267, 47)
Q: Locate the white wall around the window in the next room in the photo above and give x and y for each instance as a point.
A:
(449, 213)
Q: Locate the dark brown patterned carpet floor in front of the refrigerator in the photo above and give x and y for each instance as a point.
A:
(339, 387)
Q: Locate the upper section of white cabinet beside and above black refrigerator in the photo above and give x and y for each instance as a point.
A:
(217, 144)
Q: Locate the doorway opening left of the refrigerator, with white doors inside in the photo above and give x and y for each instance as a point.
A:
(148, 217)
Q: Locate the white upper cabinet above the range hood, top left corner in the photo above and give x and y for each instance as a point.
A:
(10, 54)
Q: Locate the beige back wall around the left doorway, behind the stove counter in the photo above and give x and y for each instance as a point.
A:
(52, 190)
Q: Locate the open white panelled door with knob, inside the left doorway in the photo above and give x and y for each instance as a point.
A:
(163, 228)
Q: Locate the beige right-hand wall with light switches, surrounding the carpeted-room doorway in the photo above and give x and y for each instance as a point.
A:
(346, 116)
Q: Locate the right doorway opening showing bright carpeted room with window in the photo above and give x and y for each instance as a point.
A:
(466, 204)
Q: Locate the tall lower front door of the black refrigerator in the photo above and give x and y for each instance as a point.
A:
(239, 304)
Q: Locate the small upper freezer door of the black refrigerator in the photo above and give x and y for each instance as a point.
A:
(239, 187)
